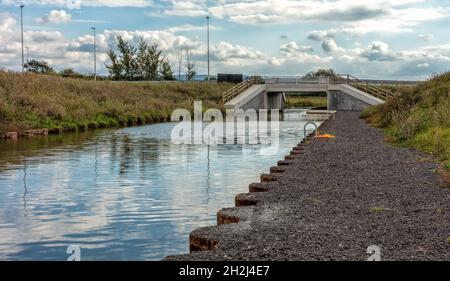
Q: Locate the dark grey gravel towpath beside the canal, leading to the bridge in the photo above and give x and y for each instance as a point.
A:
(334, 201)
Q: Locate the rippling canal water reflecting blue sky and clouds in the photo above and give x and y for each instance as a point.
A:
(127, 194)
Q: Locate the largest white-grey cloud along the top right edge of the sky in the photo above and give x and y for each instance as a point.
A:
(347, 16)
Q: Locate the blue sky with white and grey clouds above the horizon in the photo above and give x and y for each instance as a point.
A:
(378, 39)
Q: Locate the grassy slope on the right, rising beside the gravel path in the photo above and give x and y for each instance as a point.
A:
(418, 117)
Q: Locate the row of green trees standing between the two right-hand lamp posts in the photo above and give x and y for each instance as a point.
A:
(143, 62)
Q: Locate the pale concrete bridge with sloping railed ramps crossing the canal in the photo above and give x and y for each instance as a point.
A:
(344, 93)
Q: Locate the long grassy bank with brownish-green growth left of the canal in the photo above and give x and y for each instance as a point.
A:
(32, 101)
